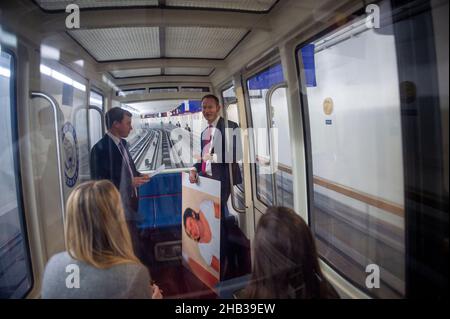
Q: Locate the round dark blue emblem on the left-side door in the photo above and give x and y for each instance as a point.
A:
(70, 154)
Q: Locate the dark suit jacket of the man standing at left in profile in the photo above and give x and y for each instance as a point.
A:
(107, 163)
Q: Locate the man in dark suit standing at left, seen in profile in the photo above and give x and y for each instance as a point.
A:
(110, 159)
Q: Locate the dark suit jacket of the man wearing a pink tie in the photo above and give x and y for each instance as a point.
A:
(227, 155)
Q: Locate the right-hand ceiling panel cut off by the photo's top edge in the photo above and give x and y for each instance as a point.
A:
(242, 5)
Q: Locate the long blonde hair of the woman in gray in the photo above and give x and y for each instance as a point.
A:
(96, 230)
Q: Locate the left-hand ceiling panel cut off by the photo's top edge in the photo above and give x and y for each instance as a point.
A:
(86, 4)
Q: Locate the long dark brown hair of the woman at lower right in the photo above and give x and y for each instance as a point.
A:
(285, 263)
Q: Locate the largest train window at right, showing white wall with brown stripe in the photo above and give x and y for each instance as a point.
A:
(353, 109)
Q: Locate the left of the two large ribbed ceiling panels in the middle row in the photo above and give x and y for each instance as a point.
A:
(113, 44)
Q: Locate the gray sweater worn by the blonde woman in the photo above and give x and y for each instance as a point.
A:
(125, 281)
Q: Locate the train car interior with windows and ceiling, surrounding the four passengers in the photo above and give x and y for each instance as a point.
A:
(342, 107)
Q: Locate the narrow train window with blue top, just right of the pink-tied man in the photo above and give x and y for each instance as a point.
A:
(268, 104)
